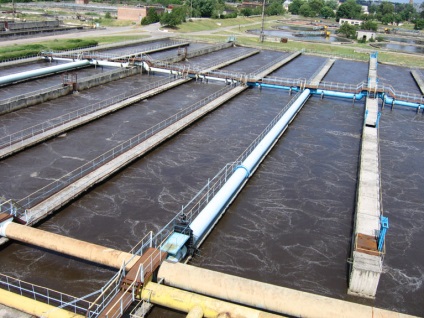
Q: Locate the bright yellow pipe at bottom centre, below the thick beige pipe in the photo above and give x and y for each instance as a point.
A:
(184, 301)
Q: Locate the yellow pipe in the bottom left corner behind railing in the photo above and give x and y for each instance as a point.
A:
(34, 307)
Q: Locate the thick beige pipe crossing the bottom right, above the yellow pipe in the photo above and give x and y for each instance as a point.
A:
(266, 296)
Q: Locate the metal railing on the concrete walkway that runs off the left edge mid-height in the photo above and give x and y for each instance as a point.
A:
(8, 141)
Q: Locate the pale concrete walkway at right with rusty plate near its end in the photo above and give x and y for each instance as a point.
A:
(367, 259)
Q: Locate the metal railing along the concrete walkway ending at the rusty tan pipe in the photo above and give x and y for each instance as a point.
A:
(23, 204)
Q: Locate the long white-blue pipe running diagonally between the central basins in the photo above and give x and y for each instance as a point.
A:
(202, 222)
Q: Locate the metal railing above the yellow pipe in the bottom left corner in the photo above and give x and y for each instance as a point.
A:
(46, 295)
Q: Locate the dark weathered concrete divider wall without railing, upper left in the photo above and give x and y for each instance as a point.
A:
(10, 105)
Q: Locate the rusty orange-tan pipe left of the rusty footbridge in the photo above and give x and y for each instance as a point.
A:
(69, 246)
